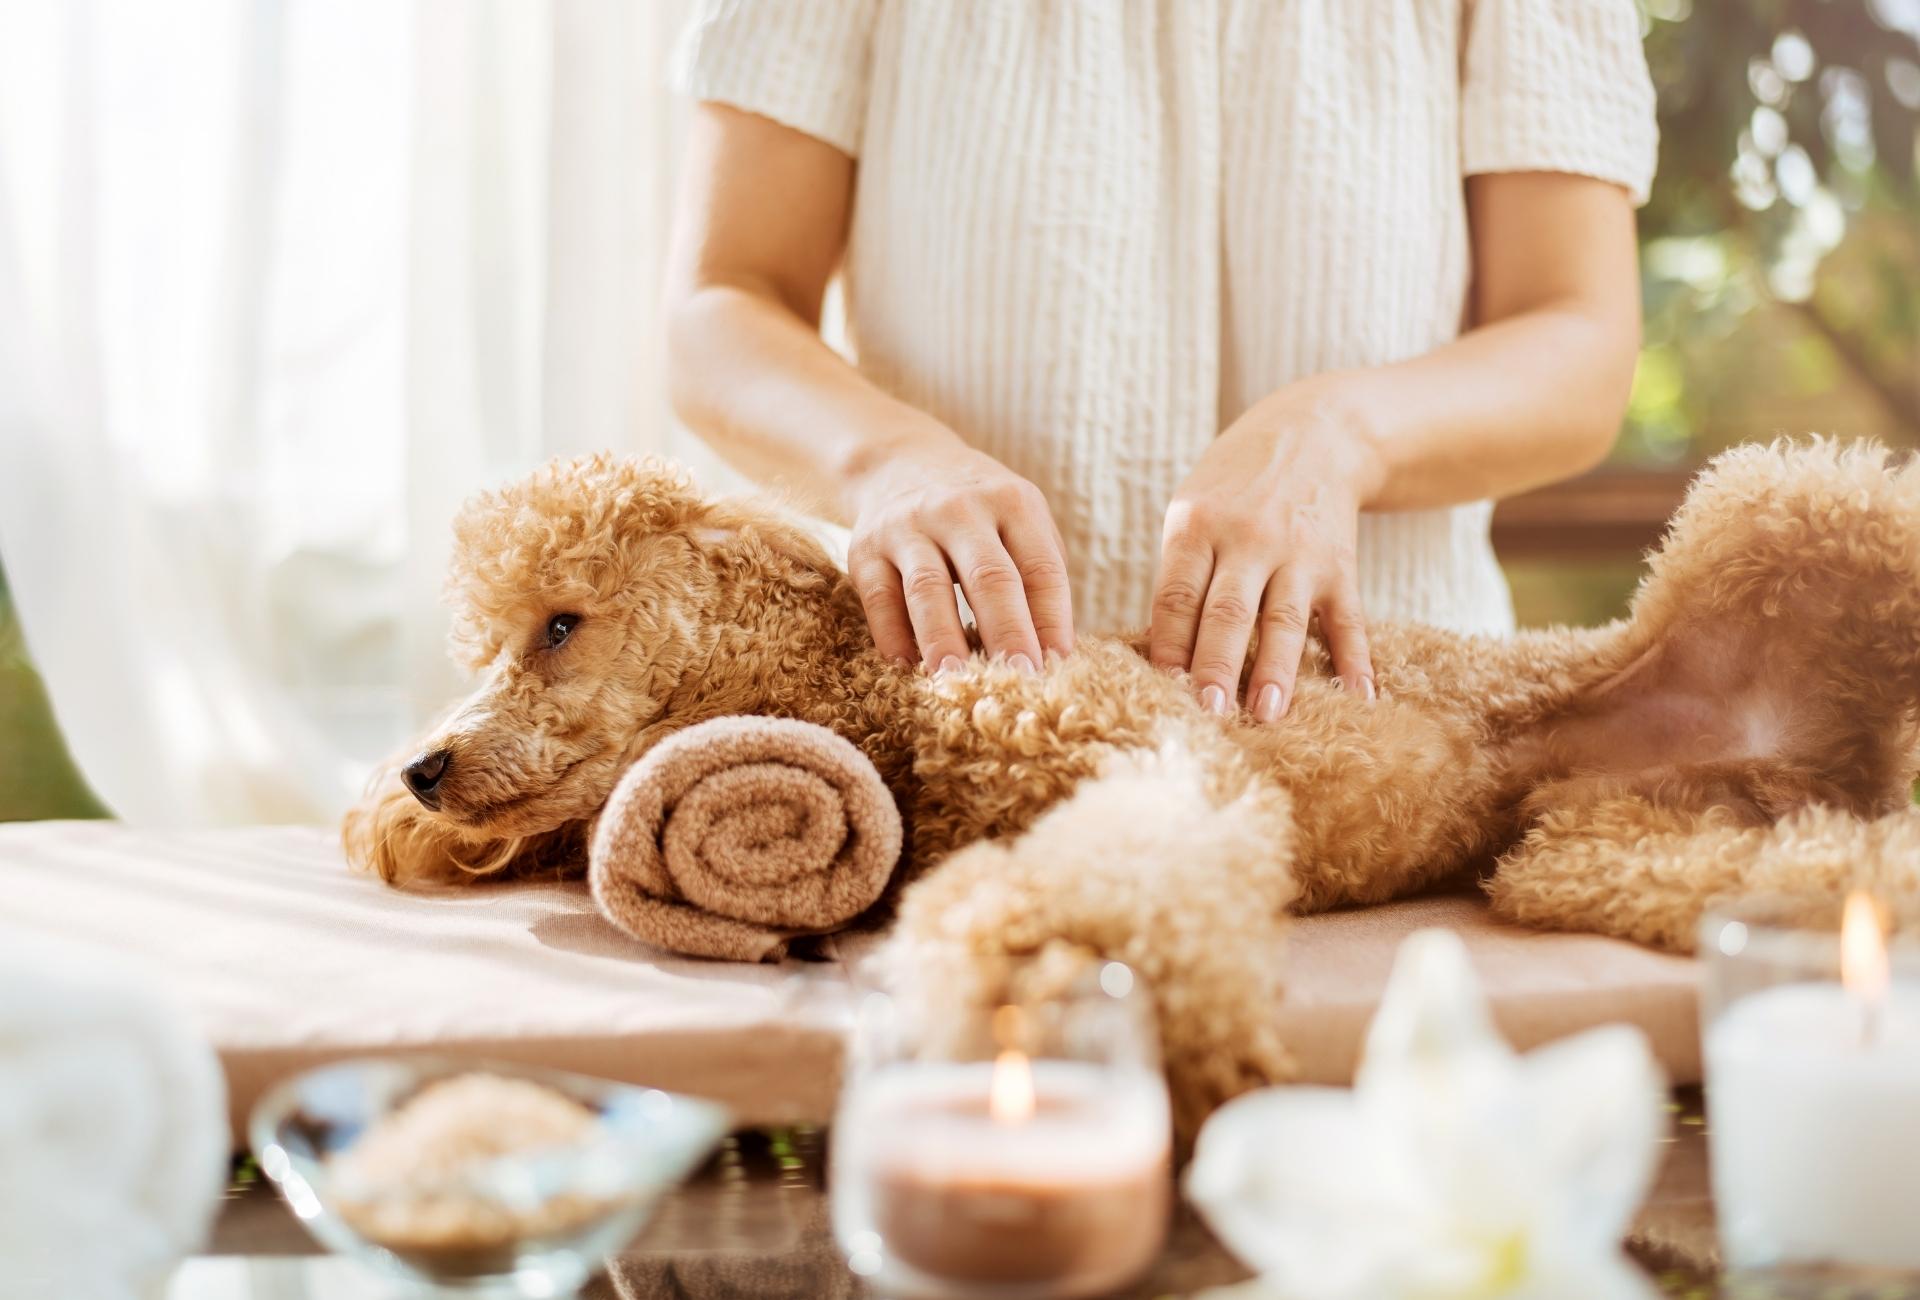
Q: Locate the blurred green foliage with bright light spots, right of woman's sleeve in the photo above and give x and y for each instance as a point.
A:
(1781, 251)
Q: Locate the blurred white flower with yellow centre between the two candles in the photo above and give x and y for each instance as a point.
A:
(1454, 1168)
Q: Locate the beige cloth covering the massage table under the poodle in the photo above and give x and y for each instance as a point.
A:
(287, 959)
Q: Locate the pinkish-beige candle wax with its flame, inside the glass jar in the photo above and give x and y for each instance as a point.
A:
(1044, 1178)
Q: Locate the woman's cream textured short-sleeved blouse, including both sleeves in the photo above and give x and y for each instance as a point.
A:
(1092, 233)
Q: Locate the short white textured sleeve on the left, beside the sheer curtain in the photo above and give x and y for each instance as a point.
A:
(802, 62)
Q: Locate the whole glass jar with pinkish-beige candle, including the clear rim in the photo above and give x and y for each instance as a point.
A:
(1007, 1153)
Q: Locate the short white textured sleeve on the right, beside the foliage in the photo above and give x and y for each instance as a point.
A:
(1558, 85)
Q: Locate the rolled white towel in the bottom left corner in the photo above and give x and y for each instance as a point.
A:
(112, 1126)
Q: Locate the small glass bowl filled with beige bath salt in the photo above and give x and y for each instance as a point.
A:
(496, 1180)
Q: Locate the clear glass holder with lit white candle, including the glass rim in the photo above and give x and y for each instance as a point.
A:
(1812, 1034)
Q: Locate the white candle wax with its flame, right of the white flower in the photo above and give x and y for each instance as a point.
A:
(1815, 1109)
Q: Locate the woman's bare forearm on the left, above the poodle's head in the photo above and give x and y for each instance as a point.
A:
(759, 385)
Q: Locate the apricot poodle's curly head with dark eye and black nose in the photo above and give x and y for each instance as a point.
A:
(579, 598)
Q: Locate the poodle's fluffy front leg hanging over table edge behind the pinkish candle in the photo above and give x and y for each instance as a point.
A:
(1143, 865)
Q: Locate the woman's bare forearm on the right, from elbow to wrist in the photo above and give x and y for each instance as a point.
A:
(1506, 408)
